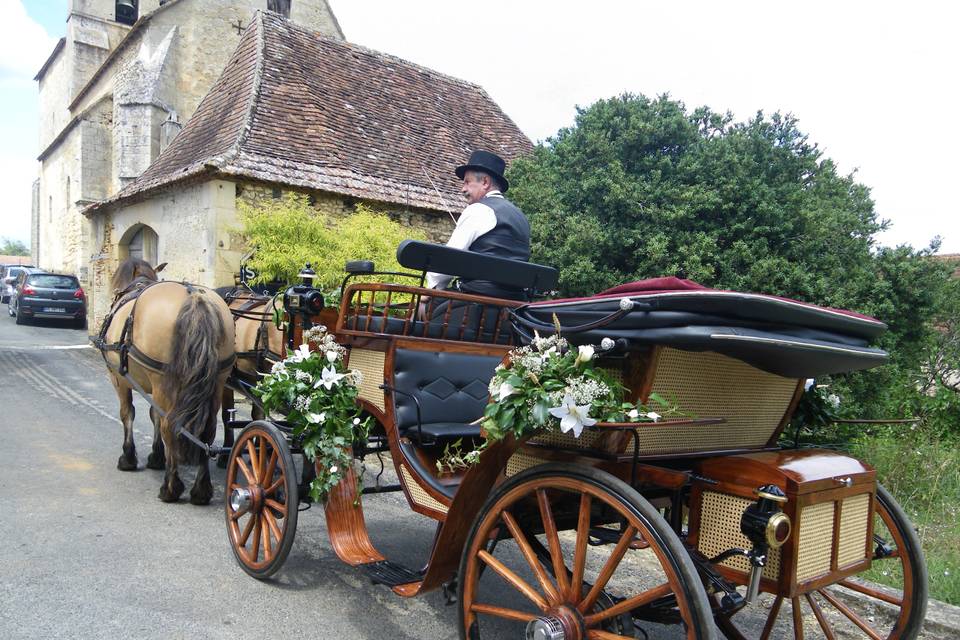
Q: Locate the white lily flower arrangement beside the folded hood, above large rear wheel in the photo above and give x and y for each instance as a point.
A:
(549, 385)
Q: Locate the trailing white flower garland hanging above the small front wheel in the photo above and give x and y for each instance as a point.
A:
(318, 396)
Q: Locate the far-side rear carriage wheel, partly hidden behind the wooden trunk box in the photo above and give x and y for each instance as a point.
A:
(854, 608)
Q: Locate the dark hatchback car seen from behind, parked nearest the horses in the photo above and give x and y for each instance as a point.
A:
(40, 294)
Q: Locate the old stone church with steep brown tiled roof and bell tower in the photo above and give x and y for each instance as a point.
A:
(157, 118)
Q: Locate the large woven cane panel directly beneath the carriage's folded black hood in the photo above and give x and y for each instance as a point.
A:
(710, 385)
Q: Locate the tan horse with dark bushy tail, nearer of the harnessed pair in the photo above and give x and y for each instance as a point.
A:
(174, 342)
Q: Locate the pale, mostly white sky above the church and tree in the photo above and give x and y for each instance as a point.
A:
(871, 83)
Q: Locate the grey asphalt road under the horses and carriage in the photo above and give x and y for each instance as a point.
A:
(87, 551)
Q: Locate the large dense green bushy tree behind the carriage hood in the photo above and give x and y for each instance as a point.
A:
(642, 187)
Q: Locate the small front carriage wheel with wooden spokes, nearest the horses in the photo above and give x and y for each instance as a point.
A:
(261, 499)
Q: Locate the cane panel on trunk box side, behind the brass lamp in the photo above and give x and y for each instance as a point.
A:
(720, 530)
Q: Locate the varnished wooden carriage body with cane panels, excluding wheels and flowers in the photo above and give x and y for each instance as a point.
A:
(426, 359)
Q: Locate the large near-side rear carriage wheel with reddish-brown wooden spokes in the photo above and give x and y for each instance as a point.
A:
(568, 551)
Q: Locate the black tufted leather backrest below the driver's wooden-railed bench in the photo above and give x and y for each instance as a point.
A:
(452, 387)
